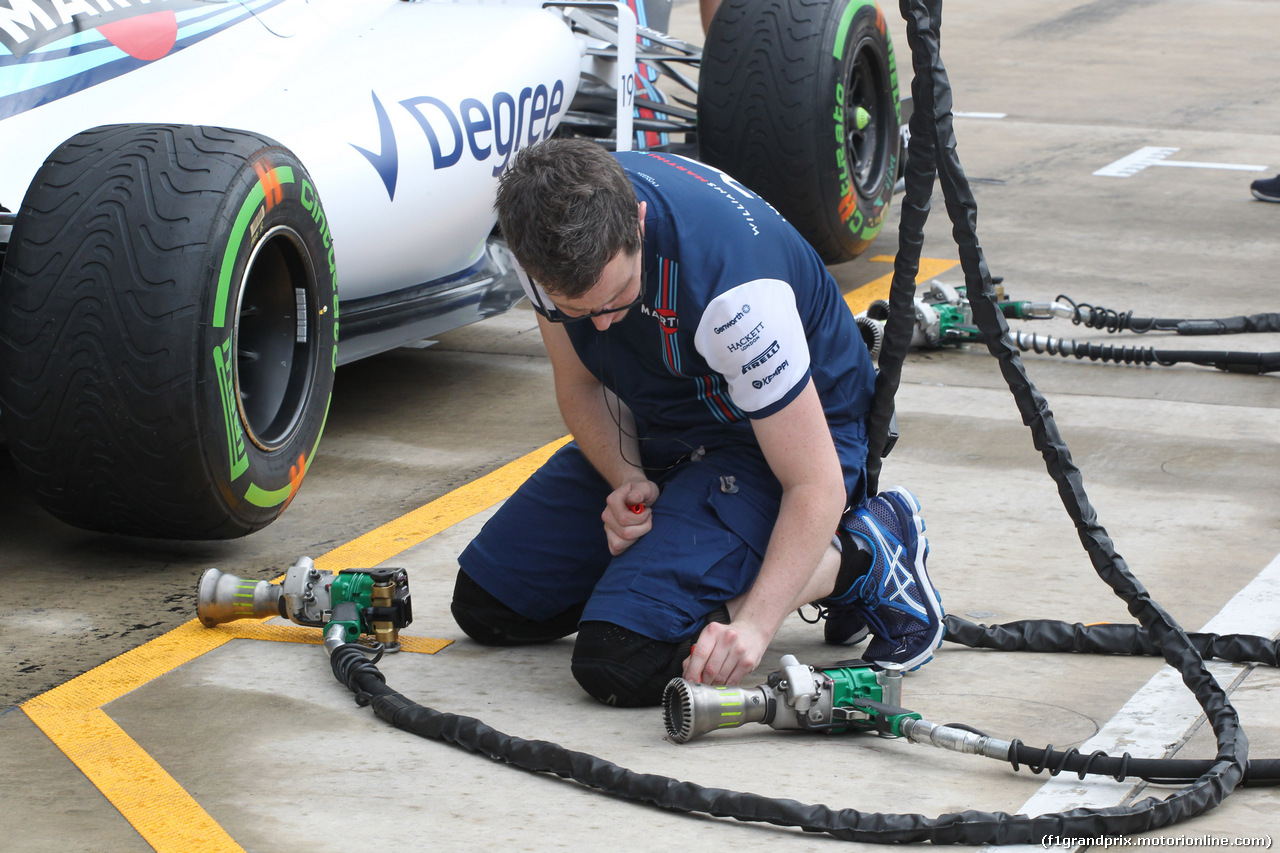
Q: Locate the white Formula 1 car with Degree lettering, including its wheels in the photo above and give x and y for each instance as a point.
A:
(203, 193)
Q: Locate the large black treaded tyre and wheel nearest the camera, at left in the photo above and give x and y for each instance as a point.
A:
(168, 325)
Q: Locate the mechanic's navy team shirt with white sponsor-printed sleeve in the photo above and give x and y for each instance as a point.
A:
(738, 314)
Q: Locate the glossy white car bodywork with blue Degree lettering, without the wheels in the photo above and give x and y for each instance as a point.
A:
(394, 107)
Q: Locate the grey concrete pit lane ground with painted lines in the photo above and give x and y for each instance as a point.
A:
(240, 738)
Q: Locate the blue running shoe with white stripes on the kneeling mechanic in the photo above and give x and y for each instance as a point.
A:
(895, 599)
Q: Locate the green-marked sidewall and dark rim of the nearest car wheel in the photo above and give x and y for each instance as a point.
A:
(276, 317)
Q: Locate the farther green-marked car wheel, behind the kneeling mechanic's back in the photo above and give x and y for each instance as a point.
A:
(798, 101)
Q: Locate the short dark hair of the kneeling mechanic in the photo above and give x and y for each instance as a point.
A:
(566, 209)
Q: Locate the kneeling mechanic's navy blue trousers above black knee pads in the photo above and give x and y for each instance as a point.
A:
(546, 551)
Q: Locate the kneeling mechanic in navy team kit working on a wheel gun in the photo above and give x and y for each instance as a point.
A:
(717, 391)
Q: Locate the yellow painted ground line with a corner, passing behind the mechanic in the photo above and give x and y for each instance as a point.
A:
(158, 808)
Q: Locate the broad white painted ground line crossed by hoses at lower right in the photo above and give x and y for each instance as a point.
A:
(1159, 715)
